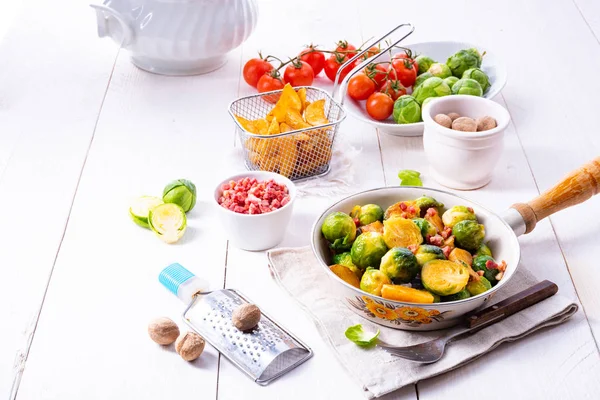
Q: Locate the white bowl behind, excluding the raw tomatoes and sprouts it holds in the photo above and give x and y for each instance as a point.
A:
(439, 51)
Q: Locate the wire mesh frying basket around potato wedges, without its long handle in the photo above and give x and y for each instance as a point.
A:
(298, 154)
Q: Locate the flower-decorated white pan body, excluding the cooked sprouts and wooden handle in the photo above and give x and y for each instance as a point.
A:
(413, 316)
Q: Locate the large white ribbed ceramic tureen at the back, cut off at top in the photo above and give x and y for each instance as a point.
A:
(177, 37)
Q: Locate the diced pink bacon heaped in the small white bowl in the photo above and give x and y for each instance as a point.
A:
(250, 196)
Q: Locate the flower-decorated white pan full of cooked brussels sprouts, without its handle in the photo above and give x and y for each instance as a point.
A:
(414, 258)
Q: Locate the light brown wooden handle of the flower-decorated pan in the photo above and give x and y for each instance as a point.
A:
(575, 188)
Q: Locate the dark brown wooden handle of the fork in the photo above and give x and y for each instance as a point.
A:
(512, 305)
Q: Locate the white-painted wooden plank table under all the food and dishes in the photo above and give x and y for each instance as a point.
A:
(82, 131)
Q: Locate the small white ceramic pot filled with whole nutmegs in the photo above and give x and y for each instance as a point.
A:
(463, 139)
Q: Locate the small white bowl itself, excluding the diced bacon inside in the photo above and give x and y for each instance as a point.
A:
(258, 231)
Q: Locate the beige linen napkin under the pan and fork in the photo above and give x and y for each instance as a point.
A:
(299, 273)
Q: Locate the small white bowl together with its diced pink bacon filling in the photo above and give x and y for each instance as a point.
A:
(255, 208)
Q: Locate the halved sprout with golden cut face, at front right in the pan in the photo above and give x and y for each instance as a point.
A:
(444, 277)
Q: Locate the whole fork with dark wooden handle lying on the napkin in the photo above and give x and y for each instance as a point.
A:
(433, 350)
